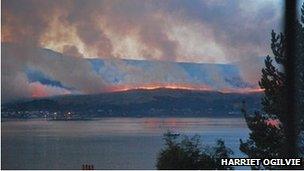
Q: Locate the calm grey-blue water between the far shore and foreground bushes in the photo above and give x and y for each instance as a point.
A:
(109, 143)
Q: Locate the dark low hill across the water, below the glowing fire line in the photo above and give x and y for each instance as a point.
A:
(137, 103)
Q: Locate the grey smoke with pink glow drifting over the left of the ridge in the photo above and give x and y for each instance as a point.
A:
(74, 73)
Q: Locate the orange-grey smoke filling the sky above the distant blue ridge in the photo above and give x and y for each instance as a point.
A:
(239, 28)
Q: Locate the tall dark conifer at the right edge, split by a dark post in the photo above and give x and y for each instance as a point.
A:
(267, 138)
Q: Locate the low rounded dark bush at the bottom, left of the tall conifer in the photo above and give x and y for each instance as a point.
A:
(187, 153)
